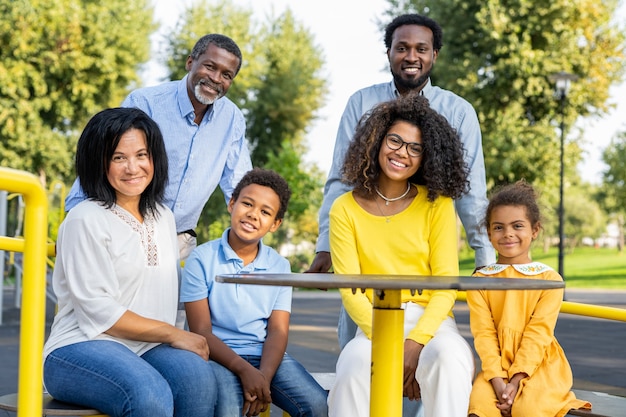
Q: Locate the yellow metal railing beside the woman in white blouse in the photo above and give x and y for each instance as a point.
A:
(33, 312)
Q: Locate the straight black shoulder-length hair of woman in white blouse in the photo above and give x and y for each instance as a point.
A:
(96, 146)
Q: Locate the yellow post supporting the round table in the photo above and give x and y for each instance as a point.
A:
(387, 354)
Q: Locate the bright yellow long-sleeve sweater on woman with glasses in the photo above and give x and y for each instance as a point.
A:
(421, 240)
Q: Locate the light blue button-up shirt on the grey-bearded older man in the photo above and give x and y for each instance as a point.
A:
(200, 157)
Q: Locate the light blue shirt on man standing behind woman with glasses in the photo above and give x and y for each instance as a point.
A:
(461, 116)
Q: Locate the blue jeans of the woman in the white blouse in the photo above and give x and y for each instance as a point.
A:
(107, 376)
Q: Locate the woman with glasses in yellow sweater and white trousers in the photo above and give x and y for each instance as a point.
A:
(405, 165)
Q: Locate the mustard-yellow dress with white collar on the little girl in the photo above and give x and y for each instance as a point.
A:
(514, 332)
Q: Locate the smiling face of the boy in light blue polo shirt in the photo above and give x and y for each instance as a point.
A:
(253, 215)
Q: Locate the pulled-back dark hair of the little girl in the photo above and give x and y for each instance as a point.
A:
(520, 194)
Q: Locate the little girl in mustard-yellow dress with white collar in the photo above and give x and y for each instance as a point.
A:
(524, 369)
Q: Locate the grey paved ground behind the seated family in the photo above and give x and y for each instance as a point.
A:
(594, 347)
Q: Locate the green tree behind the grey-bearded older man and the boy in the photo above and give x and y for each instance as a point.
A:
(279, 89)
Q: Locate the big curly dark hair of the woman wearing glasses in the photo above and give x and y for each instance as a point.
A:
(442, 169)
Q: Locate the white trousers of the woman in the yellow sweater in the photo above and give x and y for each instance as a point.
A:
(445, 372)
